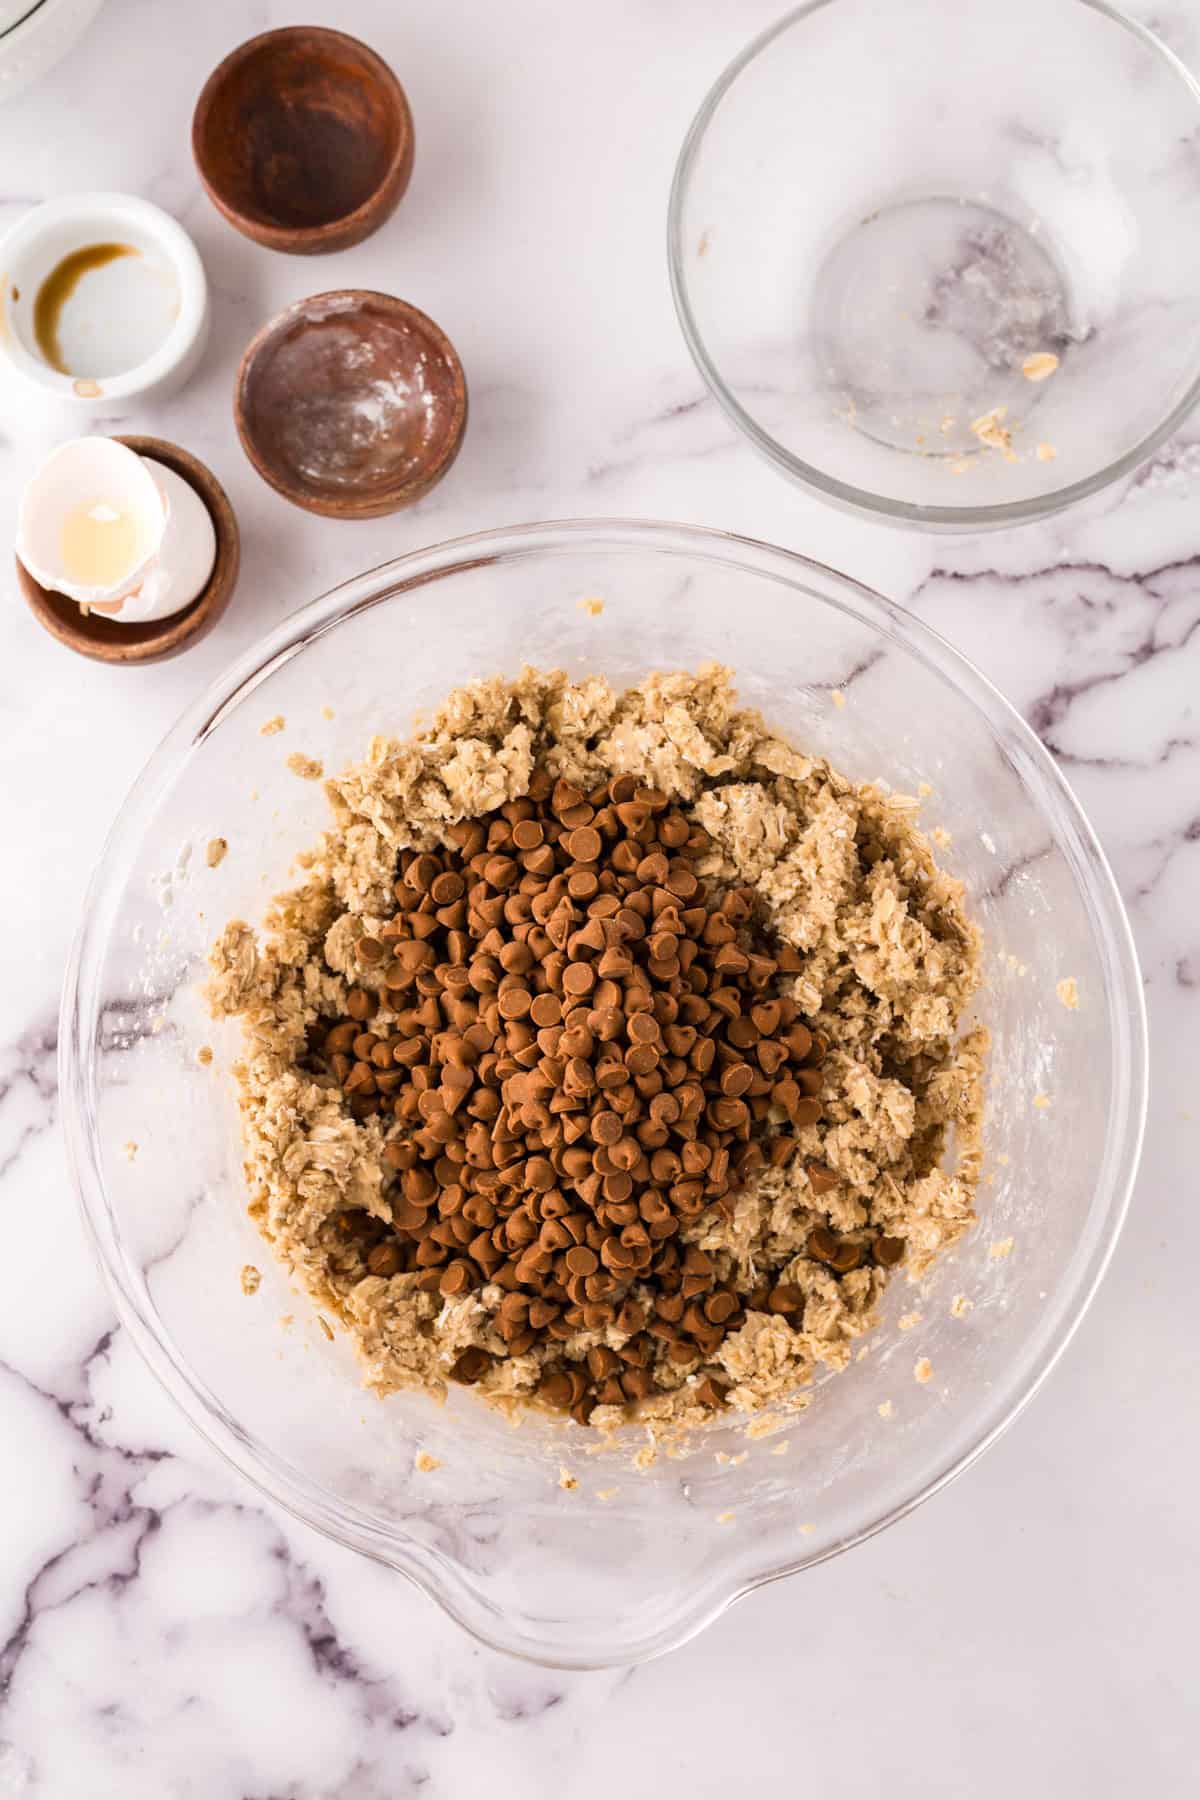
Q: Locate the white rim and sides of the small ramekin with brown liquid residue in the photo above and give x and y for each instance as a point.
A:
(53, 231)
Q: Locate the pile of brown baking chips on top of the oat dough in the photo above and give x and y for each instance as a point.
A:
(586, 1050)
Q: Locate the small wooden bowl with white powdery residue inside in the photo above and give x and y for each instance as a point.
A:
(352, 404)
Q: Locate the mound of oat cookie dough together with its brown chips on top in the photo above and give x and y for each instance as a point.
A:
(609, 1054)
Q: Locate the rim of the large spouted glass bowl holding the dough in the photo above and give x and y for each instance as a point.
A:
(289, 1488)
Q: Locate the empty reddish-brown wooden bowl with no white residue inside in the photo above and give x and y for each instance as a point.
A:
(303, 139)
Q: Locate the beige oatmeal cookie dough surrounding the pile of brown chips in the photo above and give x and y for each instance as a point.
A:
(890, 967)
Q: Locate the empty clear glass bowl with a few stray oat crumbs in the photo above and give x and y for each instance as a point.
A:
(942, 262)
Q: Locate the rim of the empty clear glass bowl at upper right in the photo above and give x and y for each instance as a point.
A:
(843, 494)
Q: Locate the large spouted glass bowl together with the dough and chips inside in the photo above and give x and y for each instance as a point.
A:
(613, 1540)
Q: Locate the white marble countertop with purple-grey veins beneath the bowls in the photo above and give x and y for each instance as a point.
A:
(163, 1632)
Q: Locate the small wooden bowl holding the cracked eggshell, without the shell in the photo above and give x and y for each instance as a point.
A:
(156, 640)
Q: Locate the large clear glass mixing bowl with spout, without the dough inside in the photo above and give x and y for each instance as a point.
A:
(551, 1572)
